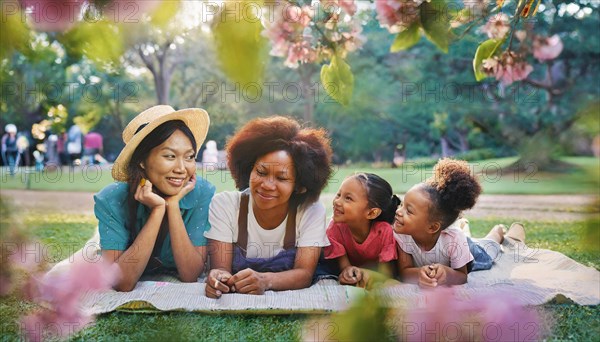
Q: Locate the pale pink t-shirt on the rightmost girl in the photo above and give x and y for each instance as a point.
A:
(451, 249)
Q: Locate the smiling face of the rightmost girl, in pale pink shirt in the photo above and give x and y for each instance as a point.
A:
(412, 216)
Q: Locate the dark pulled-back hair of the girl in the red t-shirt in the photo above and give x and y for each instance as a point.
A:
(380, 195)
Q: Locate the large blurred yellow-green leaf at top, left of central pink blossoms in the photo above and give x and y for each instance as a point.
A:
(239, 43)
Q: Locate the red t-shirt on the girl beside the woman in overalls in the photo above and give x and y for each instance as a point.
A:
(379, 246)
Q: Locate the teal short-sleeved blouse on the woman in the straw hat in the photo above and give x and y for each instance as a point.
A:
(112, 214)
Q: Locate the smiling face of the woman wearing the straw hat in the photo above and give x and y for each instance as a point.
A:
(170, 165)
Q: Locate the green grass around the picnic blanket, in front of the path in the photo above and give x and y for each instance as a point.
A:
(568, 322)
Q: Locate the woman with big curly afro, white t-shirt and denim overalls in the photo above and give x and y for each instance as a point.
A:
(269, 235)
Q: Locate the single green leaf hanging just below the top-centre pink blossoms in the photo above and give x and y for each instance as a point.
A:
(338, 80)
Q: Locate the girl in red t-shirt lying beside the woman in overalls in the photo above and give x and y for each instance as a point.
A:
(360, 232)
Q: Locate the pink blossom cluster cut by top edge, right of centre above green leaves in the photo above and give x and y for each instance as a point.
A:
(397, 15)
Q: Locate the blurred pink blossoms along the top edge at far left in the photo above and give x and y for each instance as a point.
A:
(61, 15)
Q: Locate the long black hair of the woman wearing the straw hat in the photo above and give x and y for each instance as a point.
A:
(135, 172)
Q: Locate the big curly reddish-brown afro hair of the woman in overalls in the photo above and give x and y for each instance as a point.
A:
(309, 148)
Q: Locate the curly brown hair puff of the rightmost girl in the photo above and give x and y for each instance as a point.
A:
(451, 189)
